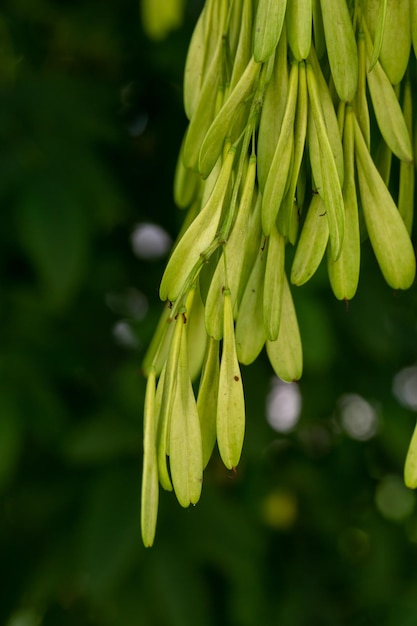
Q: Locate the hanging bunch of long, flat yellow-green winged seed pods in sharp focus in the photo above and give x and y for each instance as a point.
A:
(281, 97)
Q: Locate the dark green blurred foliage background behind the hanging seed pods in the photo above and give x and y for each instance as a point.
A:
(316, 528)
